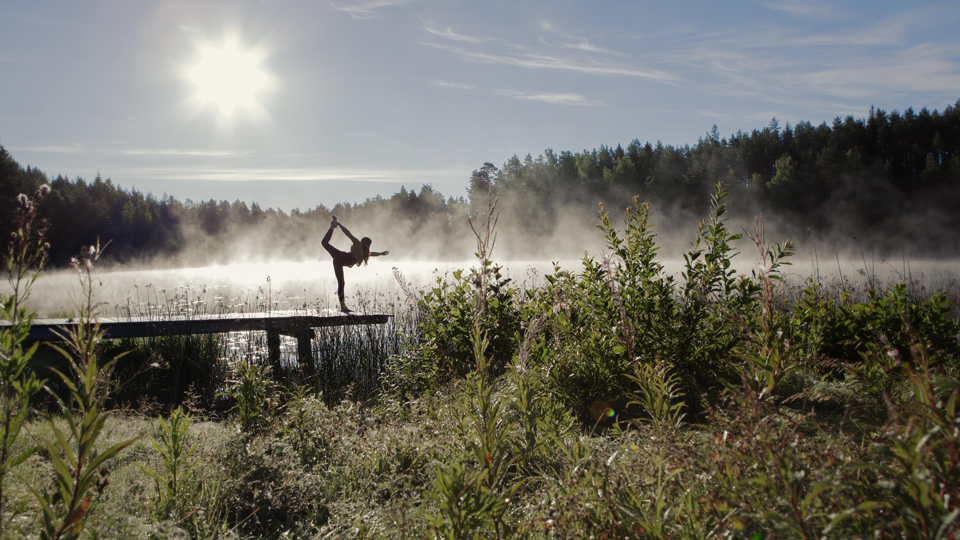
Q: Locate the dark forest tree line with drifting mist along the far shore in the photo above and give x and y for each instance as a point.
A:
(893, 175)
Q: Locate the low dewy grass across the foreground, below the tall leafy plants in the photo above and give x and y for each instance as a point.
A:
(367, 468)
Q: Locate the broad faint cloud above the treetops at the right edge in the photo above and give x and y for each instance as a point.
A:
(889, 57)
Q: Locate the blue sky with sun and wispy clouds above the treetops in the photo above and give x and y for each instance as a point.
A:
(293, 104)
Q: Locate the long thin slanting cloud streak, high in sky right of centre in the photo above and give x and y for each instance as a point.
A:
(540, 61)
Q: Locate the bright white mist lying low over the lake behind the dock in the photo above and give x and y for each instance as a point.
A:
(295, 285)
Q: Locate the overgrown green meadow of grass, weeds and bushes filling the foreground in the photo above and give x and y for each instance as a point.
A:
(614, 400)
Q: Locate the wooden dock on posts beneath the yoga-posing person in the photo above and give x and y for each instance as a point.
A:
(275, 324)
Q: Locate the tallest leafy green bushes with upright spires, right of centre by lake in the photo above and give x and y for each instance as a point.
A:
(626, 310)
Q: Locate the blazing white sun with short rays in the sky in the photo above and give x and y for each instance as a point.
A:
(227, 76)
